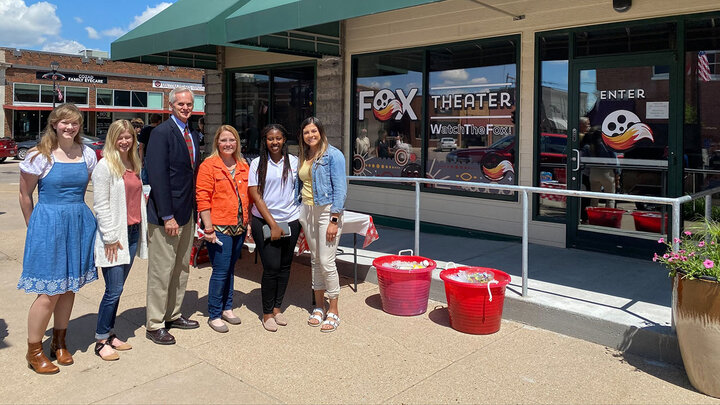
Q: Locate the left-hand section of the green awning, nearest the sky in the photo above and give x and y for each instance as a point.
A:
(185, 34)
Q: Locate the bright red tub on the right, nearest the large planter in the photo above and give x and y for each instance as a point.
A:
(473, 307)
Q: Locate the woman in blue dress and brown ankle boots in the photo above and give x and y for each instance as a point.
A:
(58, 257)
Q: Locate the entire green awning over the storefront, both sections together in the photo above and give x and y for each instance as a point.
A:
(188, 32)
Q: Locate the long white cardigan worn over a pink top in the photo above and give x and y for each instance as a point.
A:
(111, 211)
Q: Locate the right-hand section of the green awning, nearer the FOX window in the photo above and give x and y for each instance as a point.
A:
(302, 26)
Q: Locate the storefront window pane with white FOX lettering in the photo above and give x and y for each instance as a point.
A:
(388, 123)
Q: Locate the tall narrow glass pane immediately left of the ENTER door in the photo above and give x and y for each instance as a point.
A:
(552, 124)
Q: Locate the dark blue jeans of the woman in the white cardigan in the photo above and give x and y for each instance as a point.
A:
(114, 282)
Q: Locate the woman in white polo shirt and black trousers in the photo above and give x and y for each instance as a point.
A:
(272, 189)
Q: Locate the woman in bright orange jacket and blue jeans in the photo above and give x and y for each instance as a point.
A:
(223, 204)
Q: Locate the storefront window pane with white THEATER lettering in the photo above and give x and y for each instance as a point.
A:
(471, 107)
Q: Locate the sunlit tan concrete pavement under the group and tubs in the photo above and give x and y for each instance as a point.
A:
(373, 357)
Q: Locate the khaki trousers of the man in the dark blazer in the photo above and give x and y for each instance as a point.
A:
(168, 271)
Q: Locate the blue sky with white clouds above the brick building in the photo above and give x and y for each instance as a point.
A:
(70, 26)
